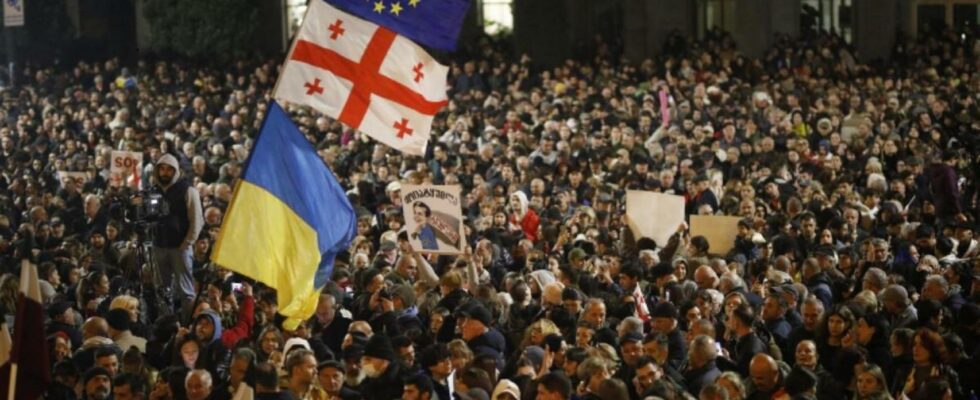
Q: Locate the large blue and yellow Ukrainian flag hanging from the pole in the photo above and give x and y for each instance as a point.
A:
(288, 219)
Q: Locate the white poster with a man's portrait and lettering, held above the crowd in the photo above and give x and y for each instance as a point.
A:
(433, 218)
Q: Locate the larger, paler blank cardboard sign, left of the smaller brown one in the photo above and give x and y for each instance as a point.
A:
(654, 215)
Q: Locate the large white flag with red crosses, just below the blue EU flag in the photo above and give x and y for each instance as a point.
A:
(366, 76)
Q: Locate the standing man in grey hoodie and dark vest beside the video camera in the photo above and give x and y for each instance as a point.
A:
(177, 231)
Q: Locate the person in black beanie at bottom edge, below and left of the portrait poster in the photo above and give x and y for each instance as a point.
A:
(384, 373)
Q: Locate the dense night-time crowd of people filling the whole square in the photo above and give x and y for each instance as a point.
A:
(854, 273)
